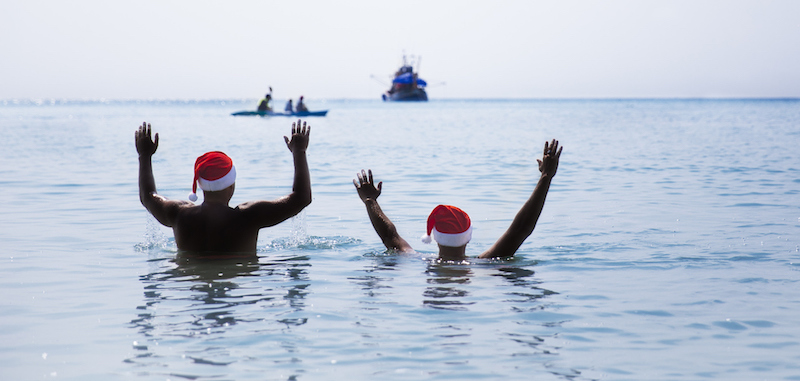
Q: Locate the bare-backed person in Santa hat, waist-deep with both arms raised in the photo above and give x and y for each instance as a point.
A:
(213, 227)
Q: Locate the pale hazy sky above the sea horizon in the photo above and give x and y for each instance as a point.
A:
(327, 49)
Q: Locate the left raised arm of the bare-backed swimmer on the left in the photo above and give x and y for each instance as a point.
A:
(161, 208)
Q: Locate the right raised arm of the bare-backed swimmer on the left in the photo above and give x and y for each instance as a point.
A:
(269, 213)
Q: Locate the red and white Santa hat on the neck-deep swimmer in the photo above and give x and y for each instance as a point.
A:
(449, 225)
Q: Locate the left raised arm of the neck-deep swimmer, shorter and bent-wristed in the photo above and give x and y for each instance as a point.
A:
(383, 225)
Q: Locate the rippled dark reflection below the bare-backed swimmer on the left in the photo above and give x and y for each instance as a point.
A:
(190, 304)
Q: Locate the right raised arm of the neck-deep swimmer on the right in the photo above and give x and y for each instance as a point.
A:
(526, 218)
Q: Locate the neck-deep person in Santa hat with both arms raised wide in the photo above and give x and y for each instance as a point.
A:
(451, 226)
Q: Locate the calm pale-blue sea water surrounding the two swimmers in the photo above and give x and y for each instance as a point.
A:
(668, 248)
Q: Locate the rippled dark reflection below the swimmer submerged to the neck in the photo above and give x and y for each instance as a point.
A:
(467, 308)
